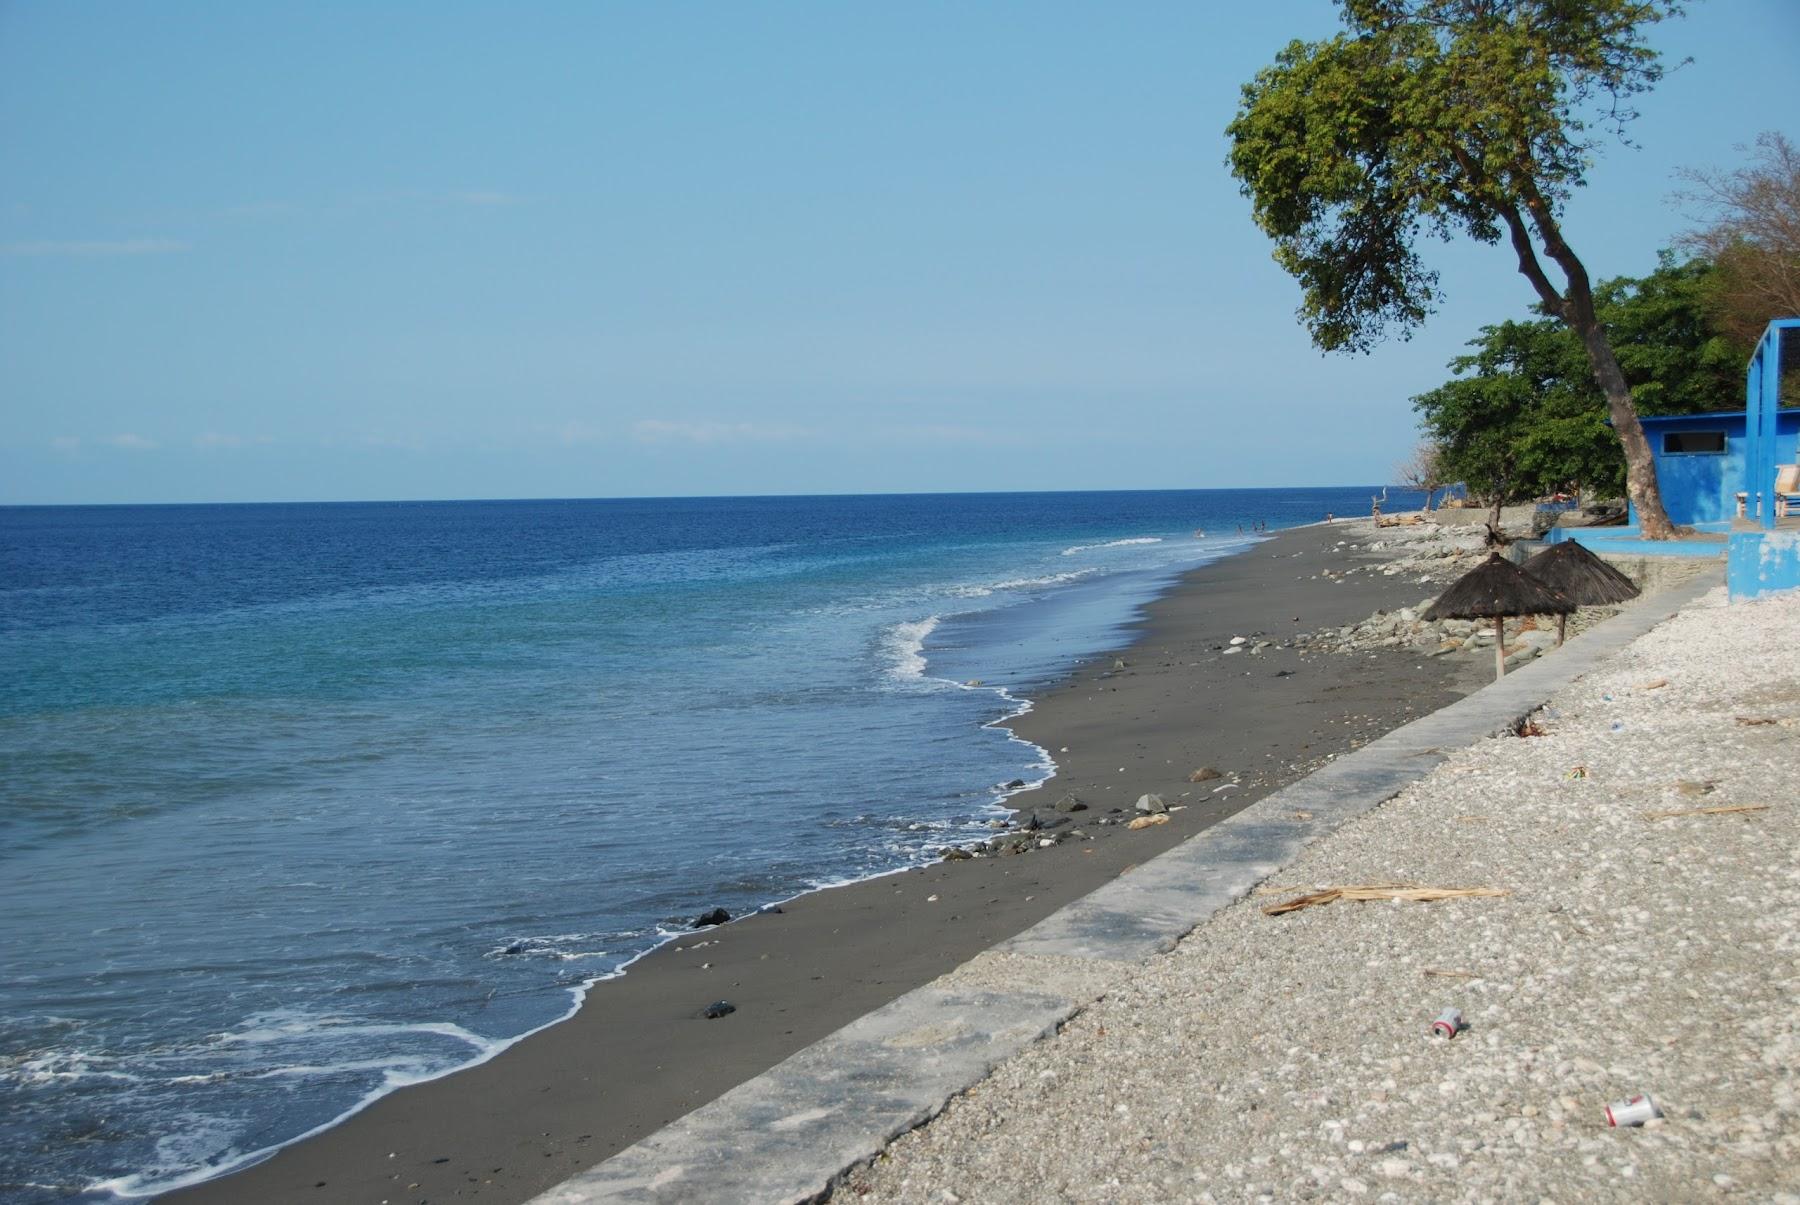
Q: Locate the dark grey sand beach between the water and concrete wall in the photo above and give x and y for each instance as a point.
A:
(640, 1053)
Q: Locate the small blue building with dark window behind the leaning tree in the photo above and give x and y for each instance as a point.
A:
(1702, 462)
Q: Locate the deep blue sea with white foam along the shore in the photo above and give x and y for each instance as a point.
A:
(303, 802)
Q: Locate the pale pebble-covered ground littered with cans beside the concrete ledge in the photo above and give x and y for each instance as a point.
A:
(1288, 1058)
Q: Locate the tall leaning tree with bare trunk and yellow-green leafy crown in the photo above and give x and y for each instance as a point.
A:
(1443, 118)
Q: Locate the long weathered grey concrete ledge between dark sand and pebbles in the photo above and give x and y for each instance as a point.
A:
(791, 1134)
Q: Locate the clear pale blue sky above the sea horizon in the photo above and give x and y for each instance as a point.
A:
(350, 251)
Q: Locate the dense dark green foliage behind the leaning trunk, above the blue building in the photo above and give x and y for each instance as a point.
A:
(1525, 417)
